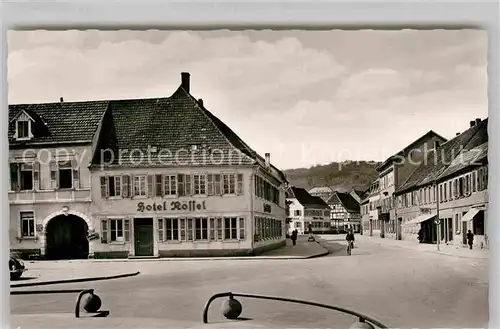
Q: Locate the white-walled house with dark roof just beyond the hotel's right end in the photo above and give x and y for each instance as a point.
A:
(307, 211)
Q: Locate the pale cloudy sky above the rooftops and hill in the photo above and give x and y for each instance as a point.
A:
(305, 97)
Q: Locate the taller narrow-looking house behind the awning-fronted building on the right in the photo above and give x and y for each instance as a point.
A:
(392, 173)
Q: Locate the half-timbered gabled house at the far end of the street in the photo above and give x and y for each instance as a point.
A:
(345, 212)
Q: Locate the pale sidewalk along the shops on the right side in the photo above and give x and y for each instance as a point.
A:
(448, 250)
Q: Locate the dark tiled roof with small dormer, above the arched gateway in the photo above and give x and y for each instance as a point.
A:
(62, 122)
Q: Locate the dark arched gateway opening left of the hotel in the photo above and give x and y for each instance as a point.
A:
(67, 238)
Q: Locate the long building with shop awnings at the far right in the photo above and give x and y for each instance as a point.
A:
(451, 170)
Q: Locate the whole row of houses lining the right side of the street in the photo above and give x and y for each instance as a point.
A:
(434, 186)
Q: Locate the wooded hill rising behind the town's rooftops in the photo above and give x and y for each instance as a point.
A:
(341, 176)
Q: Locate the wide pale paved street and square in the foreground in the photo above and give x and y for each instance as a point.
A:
(400, 287)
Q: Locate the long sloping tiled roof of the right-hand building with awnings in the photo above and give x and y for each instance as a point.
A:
(436, 163)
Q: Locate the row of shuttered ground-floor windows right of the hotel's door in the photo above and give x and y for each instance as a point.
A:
(201, 229)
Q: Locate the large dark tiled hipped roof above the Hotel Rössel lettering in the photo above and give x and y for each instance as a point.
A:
(173, 126)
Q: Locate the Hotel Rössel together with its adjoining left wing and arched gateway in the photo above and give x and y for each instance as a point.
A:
(138, 178)
